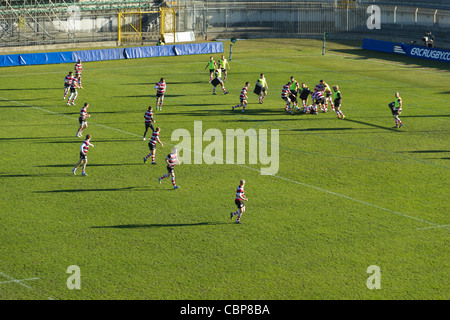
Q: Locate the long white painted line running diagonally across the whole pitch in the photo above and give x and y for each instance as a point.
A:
(434, 225)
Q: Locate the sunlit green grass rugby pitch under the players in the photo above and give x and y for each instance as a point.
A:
(348, 193)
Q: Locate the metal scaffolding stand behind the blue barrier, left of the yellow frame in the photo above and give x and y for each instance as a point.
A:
(35, 22)
